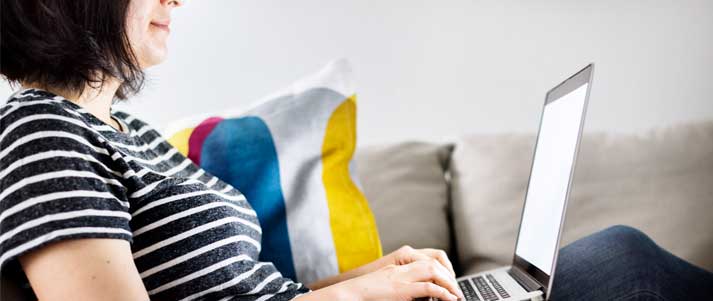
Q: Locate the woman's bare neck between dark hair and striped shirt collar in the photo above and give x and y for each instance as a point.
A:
(96, 100)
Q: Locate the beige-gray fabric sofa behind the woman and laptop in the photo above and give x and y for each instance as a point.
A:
(466, 197)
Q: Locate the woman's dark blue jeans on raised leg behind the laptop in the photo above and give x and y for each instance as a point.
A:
(622, 263)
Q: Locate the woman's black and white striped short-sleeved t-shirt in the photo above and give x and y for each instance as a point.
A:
(65, 174)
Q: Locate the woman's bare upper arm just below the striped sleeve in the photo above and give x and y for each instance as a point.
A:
(84, 269)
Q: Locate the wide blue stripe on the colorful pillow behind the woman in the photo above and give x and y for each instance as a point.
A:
(249, 145)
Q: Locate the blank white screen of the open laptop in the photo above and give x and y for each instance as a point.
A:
(549, 179)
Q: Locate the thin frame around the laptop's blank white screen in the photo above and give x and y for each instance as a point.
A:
(583, 76)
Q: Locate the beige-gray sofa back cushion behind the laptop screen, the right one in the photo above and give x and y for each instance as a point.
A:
(660, 182)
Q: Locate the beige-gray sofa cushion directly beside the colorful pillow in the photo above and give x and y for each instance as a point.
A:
(407, 192)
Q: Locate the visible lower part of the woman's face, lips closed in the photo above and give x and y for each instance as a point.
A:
(148, 26)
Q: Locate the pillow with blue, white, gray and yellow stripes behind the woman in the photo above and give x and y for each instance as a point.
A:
(291, 155)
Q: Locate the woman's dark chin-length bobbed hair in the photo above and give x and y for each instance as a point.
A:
(68, 44)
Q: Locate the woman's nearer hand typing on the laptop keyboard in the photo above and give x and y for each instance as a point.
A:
(421, 278)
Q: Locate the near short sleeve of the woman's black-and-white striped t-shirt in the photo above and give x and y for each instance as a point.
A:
(56, 181)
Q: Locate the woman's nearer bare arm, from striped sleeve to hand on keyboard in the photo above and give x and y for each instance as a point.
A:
(103, 269)
